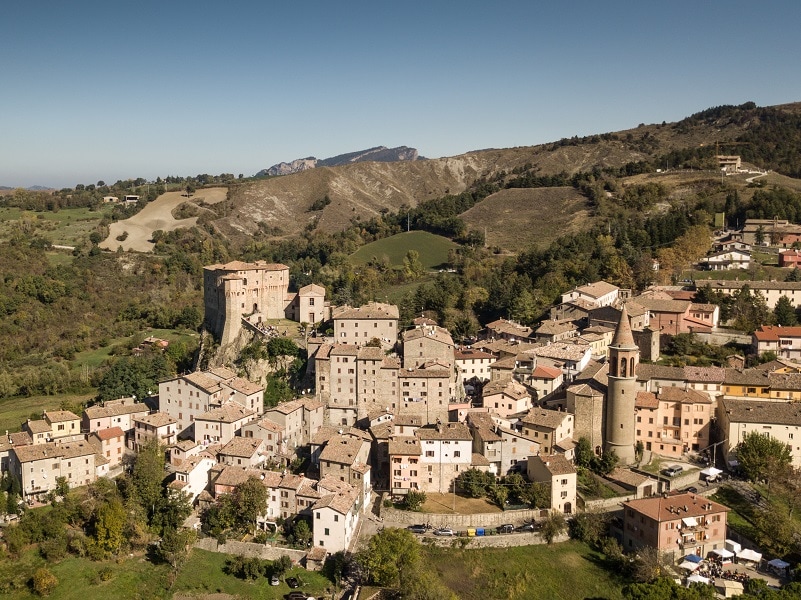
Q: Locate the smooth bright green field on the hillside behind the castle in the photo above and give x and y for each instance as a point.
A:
(433, 249)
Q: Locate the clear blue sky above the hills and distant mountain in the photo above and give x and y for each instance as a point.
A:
(111, 90)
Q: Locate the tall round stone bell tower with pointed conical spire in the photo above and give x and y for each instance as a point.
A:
(624, 355)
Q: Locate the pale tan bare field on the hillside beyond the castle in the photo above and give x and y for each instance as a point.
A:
(156, 215)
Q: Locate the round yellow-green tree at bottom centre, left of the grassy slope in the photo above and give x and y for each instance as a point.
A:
(391, 555)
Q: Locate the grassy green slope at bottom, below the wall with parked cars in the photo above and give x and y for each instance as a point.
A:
(560, 571)
